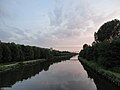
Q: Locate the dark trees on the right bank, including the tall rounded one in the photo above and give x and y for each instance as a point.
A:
(105, 50)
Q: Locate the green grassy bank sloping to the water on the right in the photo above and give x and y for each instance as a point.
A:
(107, 74)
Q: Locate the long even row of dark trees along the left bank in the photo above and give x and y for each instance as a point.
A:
(11, 52)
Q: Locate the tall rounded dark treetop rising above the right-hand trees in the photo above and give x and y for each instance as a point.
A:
(108, 31)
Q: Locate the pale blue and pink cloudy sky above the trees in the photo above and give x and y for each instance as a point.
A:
(60, 24)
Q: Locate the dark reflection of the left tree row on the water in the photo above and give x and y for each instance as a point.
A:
(9, 78)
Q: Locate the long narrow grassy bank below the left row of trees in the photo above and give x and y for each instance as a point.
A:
(16, 65)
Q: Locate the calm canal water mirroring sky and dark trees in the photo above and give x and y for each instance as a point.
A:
(65, 75)
